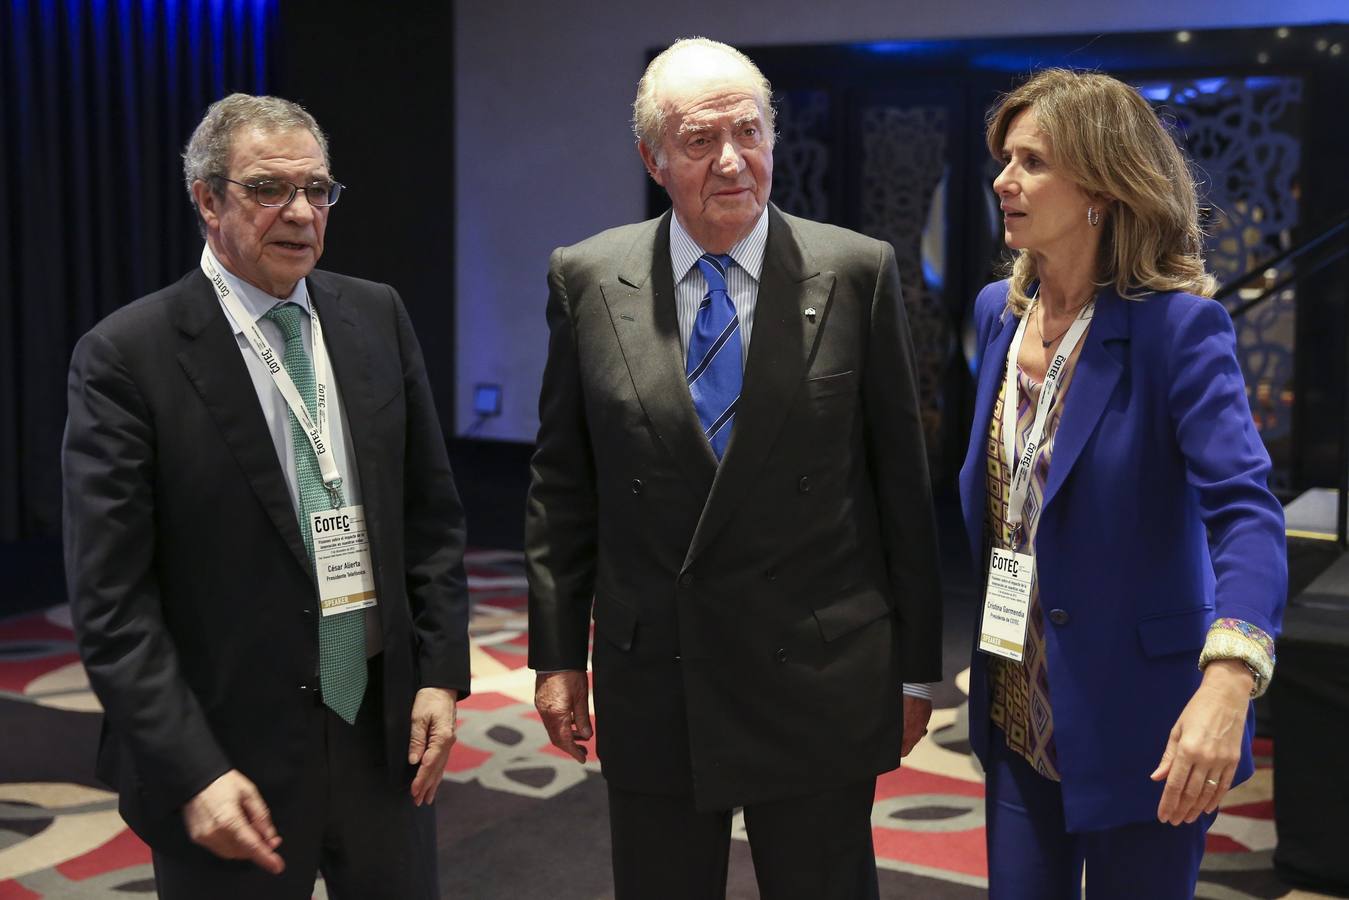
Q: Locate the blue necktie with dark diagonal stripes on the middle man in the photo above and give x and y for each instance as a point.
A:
(714, 356)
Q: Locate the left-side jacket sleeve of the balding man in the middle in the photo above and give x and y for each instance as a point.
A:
(562, 511)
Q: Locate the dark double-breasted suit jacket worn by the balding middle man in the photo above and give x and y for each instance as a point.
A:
(755, 620)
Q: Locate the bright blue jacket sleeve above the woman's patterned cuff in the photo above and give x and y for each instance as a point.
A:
(1228, 468)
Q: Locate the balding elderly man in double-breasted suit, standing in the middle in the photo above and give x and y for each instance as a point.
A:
(748, 522)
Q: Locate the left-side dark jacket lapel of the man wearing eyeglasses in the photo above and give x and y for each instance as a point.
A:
(210, 357)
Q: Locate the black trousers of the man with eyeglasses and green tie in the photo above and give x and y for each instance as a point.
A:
(343, 818)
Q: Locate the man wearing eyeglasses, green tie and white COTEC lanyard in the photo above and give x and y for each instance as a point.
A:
(265, 546)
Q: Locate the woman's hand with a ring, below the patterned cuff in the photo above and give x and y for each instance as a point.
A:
(1205, 746)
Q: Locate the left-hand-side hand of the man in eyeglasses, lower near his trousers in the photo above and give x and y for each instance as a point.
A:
(231, 820)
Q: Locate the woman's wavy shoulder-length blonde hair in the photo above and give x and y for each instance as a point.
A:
(1108, 140)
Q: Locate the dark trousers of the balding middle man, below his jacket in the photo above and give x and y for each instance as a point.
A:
(807, 848)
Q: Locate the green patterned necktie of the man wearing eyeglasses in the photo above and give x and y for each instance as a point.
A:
(342, 639)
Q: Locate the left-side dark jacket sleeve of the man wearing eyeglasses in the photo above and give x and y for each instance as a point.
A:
(109, 470)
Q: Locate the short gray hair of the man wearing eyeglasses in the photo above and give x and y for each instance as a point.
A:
(208, 150)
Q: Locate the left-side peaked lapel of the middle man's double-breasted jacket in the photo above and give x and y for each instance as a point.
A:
(641, 308)
